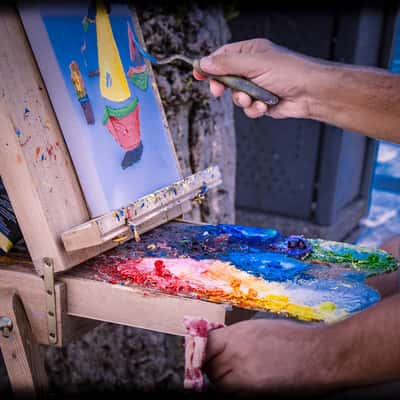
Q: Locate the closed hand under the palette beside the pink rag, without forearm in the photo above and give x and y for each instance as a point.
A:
(268, 356)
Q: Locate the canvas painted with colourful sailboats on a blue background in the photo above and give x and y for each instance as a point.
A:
(105, 98)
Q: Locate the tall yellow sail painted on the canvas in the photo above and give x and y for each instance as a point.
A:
(113, 83)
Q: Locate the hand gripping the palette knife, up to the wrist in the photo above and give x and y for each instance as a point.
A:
(287, 74)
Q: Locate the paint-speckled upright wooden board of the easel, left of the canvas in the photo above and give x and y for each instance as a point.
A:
(34, 162)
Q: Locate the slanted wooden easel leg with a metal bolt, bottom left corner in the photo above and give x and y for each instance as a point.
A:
(20, 350)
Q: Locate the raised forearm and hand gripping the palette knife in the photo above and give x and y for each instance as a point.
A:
(362, 99)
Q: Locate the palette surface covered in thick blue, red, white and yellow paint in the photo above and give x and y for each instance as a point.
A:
(248, 267)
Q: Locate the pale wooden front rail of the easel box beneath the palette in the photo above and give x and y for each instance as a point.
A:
(135, 306)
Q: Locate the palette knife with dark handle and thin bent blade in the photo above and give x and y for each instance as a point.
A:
(231, 81)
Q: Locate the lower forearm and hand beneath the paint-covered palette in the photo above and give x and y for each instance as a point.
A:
(279, 356)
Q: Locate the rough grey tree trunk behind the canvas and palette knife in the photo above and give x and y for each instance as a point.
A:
(201, 126)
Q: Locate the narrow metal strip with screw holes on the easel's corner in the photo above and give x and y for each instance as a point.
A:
(50, 299)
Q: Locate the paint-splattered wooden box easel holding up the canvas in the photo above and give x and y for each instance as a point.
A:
(45, 301)
